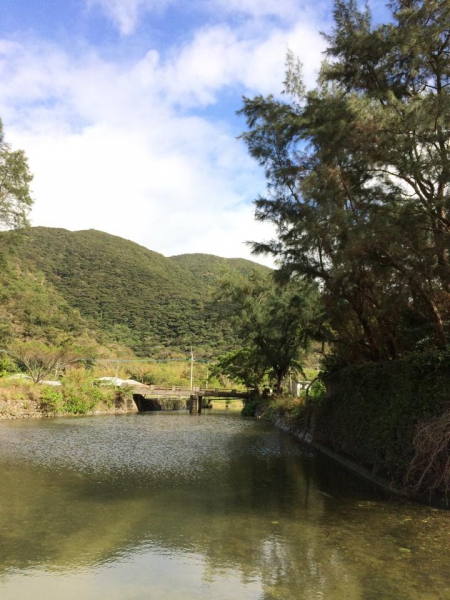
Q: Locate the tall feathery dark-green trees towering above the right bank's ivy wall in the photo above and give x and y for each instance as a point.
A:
(359, 179)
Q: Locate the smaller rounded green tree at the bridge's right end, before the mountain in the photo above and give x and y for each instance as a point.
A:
(274, 323)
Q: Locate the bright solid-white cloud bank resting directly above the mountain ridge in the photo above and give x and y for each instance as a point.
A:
(112, 180)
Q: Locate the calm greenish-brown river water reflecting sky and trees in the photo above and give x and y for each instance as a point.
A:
(172, 506)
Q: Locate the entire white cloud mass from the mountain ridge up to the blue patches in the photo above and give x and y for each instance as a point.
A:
(111, 150)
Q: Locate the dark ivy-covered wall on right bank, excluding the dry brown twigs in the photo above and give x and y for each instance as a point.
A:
(372, 411)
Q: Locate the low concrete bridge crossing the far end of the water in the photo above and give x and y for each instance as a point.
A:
(143, 393)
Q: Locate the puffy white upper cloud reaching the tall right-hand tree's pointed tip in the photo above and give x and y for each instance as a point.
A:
(219, 57)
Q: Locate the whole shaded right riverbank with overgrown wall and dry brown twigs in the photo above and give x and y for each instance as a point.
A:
(389, 421)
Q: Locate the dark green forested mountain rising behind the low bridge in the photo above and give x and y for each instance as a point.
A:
(156, 306)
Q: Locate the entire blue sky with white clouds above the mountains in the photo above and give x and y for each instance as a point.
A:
(126, 110)
